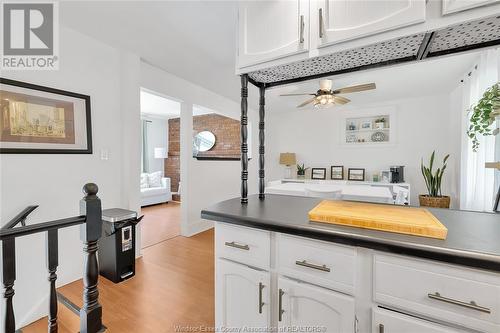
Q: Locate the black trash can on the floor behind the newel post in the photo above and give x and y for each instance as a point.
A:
(117, 244)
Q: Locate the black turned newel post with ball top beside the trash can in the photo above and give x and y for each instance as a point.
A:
(90, 232)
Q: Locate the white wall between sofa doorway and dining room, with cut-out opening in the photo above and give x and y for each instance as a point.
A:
(203, 182)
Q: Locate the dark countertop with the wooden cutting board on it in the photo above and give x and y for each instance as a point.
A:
(473, 238)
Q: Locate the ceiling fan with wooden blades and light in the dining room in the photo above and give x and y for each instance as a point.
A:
(326, 97)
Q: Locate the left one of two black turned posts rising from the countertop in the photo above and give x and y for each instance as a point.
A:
(244, 137)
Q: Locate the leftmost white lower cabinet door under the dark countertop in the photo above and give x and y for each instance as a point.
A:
(242, 297)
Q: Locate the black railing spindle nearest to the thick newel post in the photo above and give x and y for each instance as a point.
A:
(52, 263)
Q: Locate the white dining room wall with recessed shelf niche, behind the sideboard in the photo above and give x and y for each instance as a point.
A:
(422, 125)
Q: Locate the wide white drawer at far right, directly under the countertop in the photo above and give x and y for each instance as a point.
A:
(470, 298)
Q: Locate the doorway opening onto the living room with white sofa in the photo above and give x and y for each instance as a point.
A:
(160, 168)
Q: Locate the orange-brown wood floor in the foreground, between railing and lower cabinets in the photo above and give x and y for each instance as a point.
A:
(173, 286)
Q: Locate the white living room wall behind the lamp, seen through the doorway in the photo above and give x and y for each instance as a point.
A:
(157, 138)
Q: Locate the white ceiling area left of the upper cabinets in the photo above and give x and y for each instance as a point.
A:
(195, 40)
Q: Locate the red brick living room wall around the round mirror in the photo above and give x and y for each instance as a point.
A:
(227, 141)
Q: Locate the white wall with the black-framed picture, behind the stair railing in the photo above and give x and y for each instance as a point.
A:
(55, 181)
